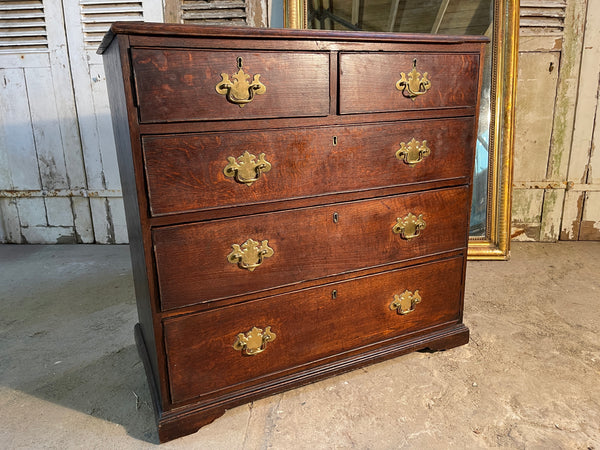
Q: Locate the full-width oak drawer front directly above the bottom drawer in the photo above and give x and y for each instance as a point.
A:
(226, 258)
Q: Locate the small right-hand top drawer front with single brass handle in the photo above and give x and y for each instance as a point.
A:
(368, 81)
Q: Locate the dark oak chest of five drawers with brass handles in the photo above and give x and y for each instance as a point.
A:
(297, 203)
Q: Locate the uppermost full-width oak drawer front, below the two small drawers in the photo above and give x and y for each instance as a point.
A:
(188, 172)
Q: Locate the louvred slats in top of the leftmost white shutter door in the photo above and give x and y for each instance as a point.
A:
(22, 26)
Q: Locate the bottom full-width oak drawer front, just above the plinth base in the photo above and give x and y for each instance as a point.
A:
(202, 359)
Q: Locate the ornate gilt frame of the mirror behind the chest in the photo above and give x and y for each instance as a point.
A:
(495, 243)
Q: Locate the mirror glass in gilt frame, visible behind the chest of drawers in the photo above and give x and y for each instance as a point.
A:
(457, 17)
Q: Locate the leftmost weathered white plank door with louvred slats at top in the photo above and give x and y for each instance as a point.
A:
(40, 151)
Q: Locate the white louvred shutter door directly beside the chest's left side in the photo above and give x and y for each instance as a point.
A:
(86, 22)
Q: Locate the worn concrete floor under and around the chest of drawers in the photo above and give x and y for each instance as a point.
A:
(70, 376)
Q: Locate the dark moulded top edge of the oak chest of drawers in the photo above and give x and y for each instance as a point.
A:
(181, 30)
